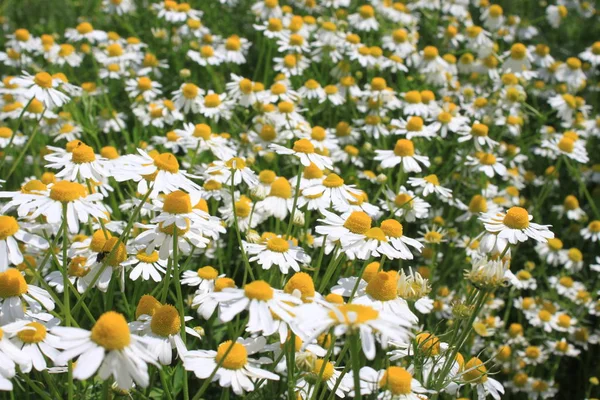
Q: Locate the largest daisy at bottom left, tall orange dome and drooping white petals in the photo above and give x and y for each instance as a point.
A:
(108, 348)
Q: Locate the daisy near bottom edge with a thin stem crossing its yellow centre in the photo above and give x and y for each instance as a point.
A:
(235, 369)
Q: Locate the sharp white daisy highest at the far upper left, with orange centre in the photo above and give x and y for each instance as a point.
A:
(42, 87)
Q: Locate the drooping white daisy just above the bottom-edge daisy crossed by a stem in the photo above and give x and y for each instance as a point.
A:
(263, 302)
